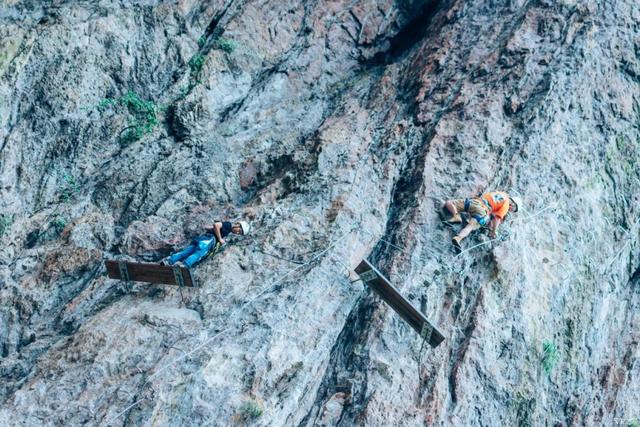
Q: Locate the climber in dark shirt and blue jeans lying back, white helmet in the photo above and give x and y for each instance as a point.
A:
(202, 245)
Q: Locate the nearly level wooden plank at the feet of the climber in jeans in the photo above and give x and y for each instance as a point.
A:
(150, 273)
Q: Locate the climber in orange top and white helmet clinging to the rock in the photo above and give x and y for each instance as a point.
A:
(486, 210)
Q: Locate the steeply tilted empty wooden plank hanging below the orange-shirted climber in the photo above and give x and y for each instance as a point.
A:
(381, 285)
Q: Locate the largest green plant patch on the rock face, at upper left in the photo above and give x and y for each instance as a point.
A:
(144, 115)
